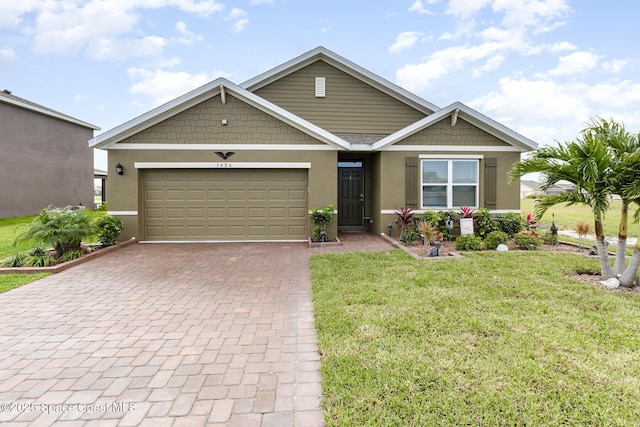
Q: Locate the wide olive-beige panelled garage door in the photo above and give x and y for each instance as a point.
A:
(218, 204)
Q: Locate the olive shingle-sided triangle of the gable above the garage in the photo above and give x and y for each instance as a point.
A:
(202, 124)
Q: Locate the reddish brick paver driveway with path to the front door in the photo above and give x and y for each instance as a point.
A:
(167, 335)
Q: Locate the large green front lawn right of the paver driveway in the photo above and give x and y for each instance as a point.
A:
(492, 339)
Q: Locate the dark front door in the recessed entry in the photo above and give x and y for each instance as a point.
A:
(350, 194)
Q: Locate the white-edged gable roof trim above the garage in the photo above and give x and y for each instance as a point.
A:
(207, 91)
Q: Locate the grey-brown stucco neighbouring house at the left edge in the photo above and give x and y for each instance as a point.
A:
(44, 158)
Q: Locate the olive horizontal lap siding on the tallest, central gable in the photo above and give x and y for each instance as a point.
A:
(349, 106)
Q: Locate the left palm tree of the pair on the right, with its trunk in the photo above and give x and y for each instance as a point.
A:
(587, 164)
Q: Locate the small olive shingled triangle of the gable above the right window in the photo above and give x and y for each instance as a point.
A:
(442, 133)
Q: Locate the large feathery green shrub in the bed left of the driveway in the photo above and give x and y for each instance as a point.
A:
(64, 229)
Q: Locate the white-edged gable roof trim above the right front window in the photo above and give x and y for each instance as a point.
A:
(455, 110)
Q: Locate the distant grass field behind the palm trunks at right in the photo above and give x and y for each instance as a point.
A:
(566, 217)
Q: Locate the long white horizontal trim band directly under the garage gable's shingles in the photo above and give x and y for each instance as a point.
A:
(227, 147)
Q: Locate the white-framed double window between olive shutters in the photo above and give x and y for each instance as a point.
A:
(448, 184)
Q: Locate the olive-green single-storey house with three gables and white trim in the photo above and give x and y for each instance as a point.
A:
(230, 162)
